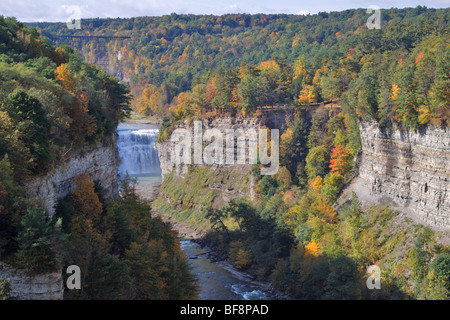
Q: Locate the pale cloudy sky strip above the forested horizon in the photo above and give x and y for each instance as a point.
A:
(62, 10)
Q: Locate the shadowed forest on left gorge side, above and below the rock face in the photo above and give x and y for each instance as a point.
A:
(51, 105)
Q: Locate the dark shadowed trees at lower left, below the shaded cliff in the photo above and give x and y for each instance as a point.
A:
(137, 255)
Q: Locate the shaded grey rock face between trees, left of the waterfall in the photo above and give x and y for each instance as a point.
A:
(100, 162)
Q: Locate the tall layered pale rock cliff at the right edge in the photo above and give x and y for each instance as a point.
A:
(411, 168)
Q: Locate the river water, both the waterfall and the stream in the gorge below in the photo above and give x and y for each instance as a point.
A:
(217, 280)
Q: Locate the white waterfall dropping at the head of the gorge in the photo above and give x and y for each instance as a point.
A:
(137, 150)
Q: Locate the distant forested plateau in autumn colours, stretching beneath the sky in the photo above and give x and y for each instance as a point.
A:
(184, 65)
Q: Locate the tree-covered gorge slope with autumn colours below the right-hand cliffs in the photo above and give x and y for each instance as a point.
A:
(295, 234)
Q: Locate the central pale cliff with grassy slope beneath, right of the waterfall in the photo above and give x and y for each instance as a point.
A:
(189, 188)
